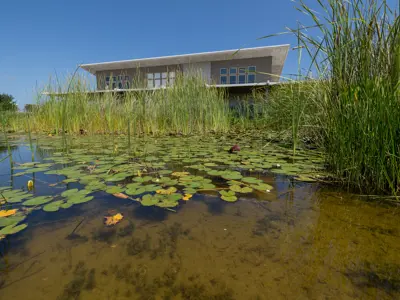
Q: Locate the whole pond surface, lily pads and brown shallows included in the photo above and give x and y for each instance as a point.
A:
(256, 226)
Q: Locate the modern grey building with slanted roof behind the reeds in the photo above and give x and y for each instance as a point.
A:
(232, 69)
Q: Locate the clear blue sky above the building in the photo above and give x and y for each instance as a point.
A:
(44, 37)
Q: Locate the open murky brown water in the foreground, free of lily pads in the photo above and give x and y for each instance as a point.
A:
(302, 242)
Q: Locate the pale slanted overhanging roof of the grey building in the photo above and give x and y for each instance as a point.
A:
(278, 53)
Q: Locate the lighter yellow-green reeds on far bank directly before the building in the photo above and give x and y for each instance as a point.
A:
(186, 108)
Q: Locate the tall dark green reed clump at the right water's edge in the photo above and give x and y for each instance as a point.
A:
(353, 109)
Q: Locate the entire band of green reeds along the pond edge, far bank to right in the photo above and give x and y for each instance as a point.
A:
(350, 110)
